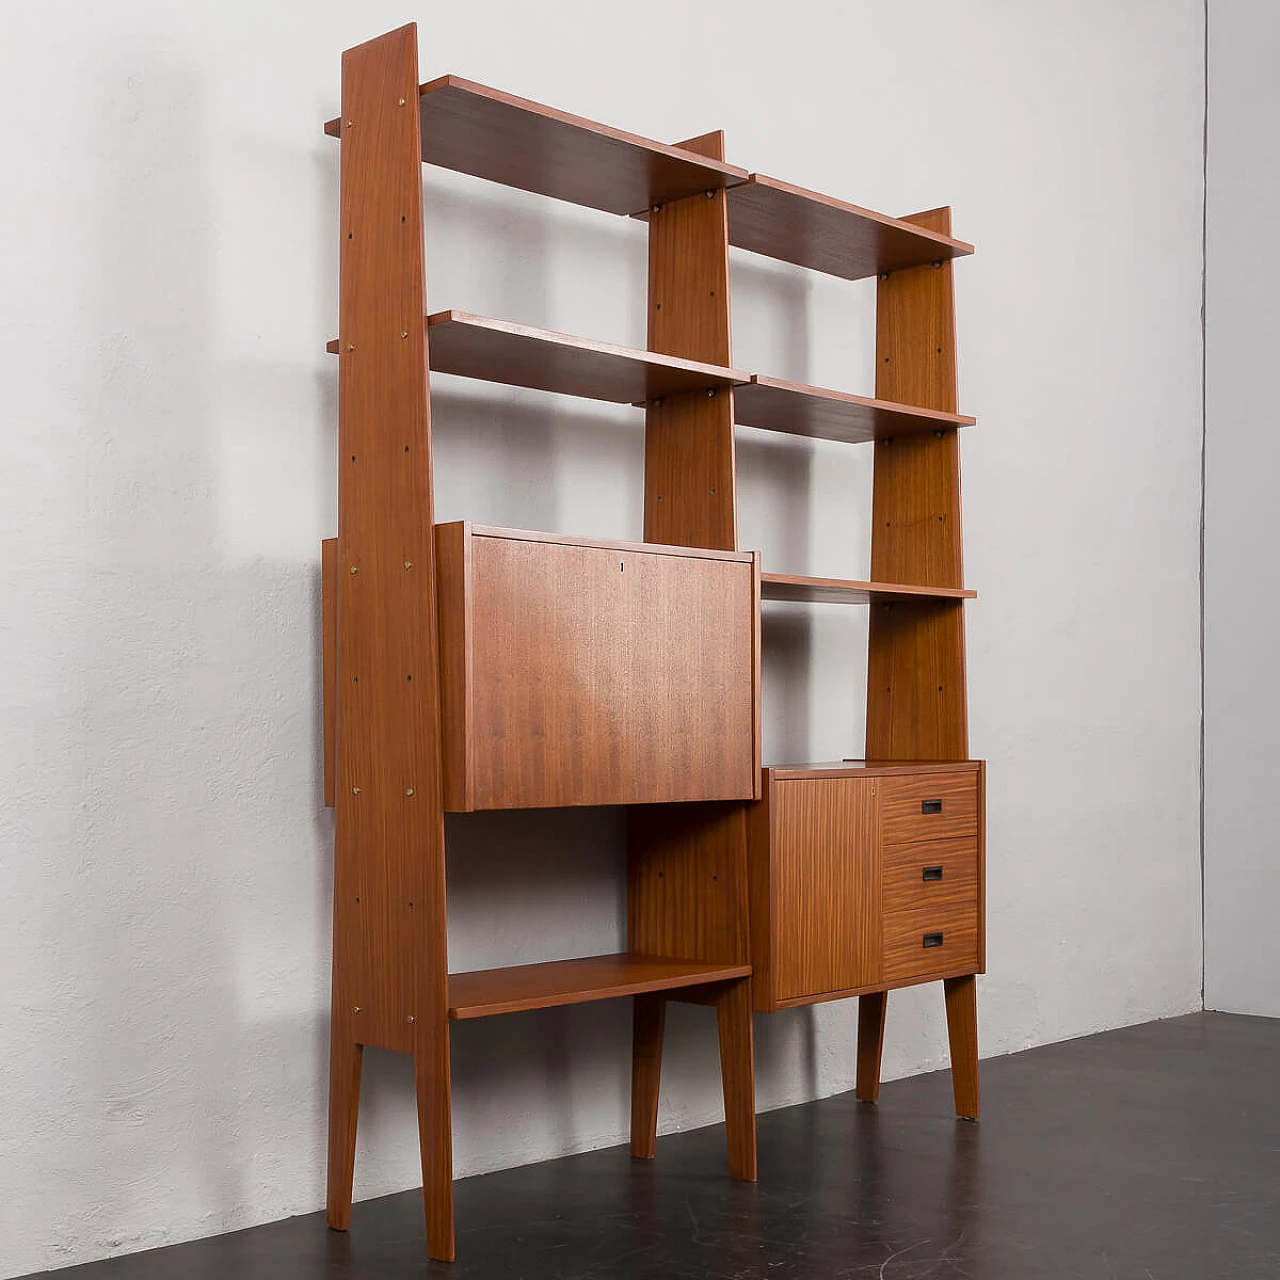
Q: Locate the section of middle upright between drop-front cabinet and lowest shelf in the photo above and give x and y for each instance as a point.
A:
(687, 881)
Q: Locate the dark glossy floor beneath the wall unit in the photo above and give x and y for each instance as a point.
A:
(1151, 1153)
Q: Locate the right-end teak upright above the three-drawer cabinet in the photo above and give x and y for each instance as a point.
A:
(917, 706)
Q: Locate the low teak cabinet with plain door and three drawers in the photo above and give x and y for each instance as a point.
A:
(865, 877)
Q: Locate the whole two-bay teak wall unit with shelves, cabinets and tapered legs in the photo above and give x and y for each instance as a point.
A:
(469, 668)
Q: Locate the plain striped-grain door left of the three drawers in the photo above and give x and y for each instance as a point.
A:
(828, 863)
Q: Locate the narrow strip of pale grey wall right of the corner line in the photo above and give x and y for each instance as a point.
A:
(1242, 612)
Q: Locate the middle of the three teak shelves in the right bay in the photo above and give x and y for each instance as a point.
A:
(774, 405)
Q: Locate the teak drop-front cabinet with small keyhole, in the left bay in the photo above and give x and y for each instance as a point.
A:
(602, 675)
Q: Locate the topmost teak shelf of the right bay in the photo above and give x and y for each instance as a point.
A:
(797, 226)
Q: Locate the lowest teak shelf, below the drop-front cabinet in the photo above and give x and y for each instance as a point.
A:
(575, 982)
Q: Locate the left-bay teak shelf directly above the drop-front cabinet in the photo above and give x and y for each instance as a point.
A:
(518, 355)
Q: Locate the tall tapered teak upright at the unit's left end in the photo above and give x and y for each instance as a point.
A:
(391, 973)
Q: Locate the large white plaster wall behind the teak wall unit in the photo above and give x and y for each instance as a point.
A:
(168, 269)
